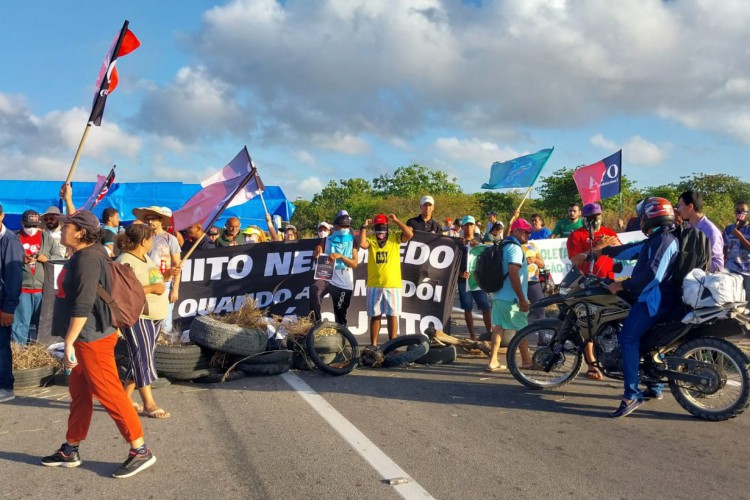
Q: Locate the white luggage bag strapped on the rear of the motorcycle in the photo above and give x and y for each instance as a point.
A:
(700, 289)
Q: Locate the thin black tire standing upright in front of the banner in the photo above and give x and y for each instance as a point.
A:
(342, 345)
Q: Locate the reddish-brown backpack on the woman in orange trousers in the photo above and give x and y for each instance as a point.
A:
(127, 301)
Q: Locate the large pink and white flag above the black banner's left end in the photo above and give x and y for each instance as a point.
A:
(235, 184)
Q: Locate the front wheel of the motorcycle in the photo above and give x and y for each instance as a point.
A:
(538, 341)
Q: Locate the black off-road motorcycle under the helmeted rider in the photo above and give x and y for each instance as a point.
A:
(707, 375)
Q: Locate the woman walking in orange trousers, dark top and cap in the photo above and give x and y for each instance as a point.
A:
(89, 348)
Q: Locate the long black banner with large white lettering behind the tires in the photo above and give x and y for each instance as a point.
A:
(278, 275)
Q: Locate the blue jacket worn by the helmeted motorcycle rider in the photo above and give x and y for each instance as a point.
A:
(651, 281)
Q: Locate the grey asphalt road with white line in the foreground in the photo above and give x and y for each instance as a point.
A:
(452, 431)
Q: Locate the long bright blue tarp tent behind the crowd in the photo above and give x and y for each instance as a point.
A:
(18, 196)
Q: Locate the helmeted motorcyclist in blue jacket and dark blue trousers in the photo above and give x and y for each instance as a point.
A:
(654, 292)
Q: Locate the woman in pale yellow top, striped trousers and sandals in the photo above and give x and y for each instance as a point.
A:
(134, 245)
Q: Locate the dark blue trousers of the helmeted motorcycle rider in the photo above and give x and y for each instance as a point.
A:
(635, 326)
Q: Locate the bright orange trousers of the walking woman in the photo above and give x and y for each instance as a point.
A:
(96, 376)
